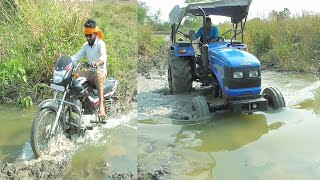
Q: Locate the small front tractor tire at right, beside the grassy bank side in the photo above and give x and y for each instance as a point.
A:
(274, 97)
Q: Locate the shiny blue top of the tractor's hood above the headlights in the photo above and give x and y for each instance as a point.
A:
(235, 57)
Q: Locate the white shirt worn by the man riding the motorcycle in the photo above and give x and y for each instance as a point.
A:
(95, 53)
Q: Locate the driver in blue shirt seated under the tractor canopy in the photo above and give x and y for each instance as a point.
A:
(212, 31)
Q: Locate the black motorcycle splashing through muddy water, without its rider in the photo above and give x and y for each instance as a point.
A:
(74, 98)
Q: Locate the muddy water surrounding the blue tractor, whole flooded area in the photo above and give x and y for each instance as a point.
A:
(281, 144)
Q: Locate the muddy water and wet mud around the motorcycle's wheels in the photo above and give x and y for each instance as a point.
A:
(107, 151)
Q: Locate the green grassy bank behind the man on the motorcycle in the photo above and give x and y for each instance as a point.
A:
(33, 34)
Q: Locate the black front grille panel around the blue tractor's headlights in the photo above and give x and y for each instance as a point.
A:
(245, 82)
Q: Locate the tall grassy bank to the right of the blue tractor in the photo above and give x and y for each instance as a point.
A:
(291, 44)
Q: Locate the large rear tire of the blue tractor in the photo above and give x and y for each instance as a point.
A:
(179, 75)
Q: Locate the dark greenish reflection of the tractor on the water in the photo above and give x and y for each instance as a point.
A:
(229, 133)
